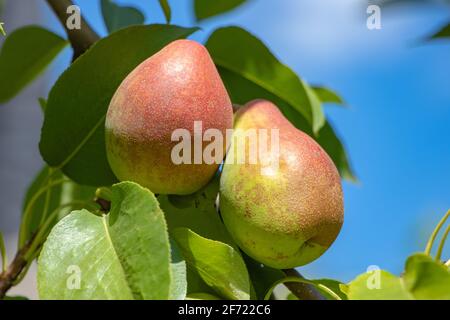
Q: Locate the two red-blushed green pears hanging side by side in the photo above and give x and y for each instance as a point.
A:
(283, 218)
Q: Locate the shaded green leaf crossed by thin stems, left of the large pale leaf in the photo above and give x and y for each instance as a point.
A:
(52, 199)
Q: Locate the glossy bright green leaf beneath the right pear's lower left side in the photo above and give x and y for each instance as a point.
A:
(217, 263)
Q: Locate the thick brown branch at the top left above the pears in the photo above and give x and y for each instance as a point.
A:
(80, 39)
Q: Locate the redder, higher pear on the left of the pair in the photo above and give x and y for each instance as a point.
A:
(172, 90)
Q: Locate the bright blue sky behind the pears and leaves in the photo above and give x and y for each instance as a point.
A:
(396, 125)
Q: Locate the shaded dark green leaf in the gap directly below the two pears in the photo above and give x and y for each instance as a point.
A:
(197, 212)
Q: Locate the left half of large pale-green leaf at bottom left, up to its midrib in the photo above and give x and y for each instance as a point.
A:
(78, 261)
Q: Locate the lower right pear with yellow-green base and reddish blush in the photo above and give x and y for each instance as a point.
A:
(283, 215)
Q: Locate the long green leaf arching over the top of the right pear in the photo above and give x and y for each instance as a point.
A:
(254, 73)
